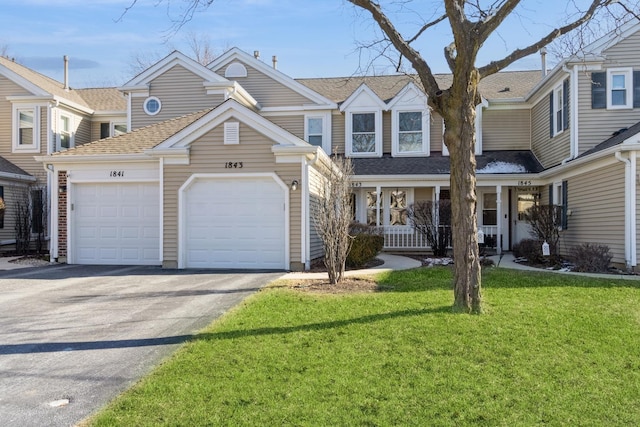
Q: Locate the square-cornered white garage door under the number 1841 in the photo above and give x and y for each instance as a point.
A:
(116, 224)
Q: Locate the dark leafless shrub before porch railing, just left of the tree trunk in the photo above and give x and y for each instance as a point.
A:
(433, 221)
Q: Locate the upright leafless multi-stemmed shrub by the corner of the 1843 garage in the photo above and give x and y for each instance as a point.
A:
(332, 217)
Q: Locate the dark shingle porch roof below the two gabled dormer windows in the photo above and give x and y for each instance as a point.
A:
(436, 164)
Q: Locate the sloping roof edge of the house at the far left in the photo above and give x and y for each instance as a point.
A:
(38, 84)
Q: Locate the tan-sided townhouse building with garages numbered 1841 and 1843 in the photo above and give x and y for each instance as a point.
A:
(224, 164)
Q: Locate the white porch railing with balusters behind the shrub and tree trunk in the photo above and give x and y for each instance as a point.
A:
(406, 237)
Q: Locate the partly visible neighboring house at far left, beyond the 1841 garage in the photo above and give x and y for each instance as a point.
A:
(40, 116)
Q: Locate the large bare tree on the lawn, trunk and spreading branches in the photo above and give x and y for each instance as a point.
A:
(471, 23)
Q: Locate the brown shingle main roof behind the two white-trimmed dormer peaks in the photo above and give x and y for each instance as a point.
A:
(503, 85)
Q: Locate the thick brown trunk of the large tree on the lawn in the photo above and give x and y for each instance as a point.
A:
(459, 137)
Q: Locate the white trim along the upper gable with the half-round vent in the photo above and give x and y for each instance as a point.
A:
(235, 54)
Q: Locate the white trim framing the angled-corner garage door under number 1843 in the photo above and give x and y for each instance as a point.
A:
(182, 208)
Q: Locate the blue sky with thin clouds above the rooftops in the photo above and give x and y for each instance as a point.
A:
(318, 39)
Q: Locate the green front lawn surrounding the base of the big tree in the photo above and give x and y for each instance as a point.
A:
(550, 350)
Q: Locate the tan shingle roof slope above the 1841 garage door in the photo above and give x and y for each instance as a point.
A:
(137, 141)
